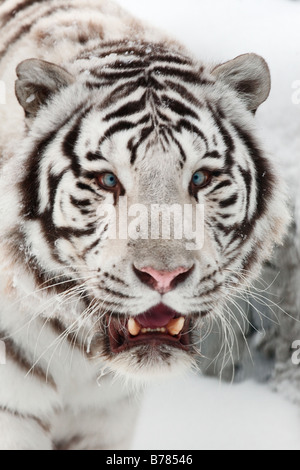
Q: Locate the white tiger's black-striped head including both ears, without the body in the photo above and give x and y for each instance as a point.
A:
(145, 127)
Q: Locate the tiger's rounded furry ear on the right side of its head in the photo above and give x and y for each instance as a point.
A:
(249, 75)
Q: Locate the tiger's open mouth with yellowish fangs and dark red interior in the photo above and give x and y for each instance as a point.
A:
(158, 326)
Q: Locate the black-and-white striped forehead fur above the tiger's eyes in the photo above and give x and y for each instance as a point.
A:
(158, 106)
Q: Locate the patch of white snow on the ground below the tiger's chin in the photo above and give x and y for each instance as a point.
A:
(195, 413)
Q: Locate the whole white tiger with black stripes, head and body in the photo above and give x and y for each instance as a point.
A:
(101, 108)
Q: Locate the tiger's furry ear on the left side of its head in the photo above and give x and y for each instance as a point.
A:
(37, 82)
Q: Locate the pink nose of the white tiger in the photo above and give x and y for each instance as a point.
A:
(163, 281)
